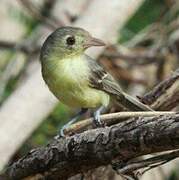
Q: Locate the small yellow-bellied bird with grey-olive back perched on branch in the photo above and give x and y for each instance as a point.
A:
(76, 79)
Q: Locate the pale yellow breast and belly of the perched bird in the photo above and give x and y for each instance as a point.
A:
(68, 80)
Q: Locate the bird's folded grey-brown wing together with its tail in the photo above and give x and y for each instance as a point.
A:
(102, 80)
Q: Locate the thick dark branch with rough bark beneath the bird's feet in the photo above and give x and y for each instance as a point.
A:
(65, 157)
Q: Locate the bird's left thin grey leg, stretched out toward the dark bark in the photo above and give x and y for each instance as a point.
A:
(73, 120)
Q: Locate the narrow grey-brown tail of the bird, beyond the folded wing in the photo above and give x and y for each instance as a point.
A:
(133, 104)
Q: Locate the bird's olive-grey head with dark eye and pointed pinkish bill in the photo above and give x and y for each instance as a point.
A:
(68, 42)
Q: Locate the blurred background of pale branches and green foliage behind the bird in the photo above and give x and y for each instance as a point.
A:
(143, 49)
